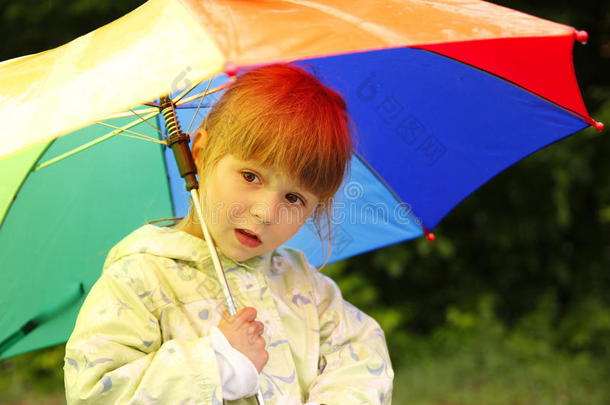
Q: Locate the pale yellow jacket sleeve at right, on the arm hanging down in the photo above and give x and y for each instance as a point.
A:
(354, 364)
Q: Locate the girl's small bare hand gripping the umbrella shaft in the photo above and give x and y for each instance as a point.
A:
(244, 333)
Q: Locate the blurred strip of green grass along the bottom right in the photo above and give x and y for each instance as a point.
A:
(498, 378)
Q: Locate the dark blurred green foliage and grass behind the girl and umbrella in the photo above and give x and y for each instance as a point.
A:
(510, 305)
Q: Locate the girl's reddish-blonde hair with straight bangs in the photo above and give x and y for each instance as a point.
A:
(280, 116)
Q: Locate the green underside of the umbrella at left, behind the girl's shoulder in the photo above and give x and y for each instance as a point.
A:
(65, 216)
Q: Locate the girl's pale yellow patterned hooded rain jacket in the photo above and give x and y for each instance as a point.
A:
(142, 335)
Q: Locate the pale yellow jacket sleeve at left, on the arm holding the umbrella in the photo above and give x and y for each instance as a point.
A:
(116, 354)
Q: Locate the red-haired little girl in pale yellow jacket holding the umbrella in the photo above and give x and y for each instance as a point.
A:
(154, 329)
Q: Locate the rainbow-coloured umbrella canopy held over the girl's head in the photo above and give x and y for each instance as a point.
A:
(444, 94)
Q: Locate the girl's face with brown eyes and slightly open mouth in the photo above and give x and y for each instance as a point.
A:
(240, 197)
